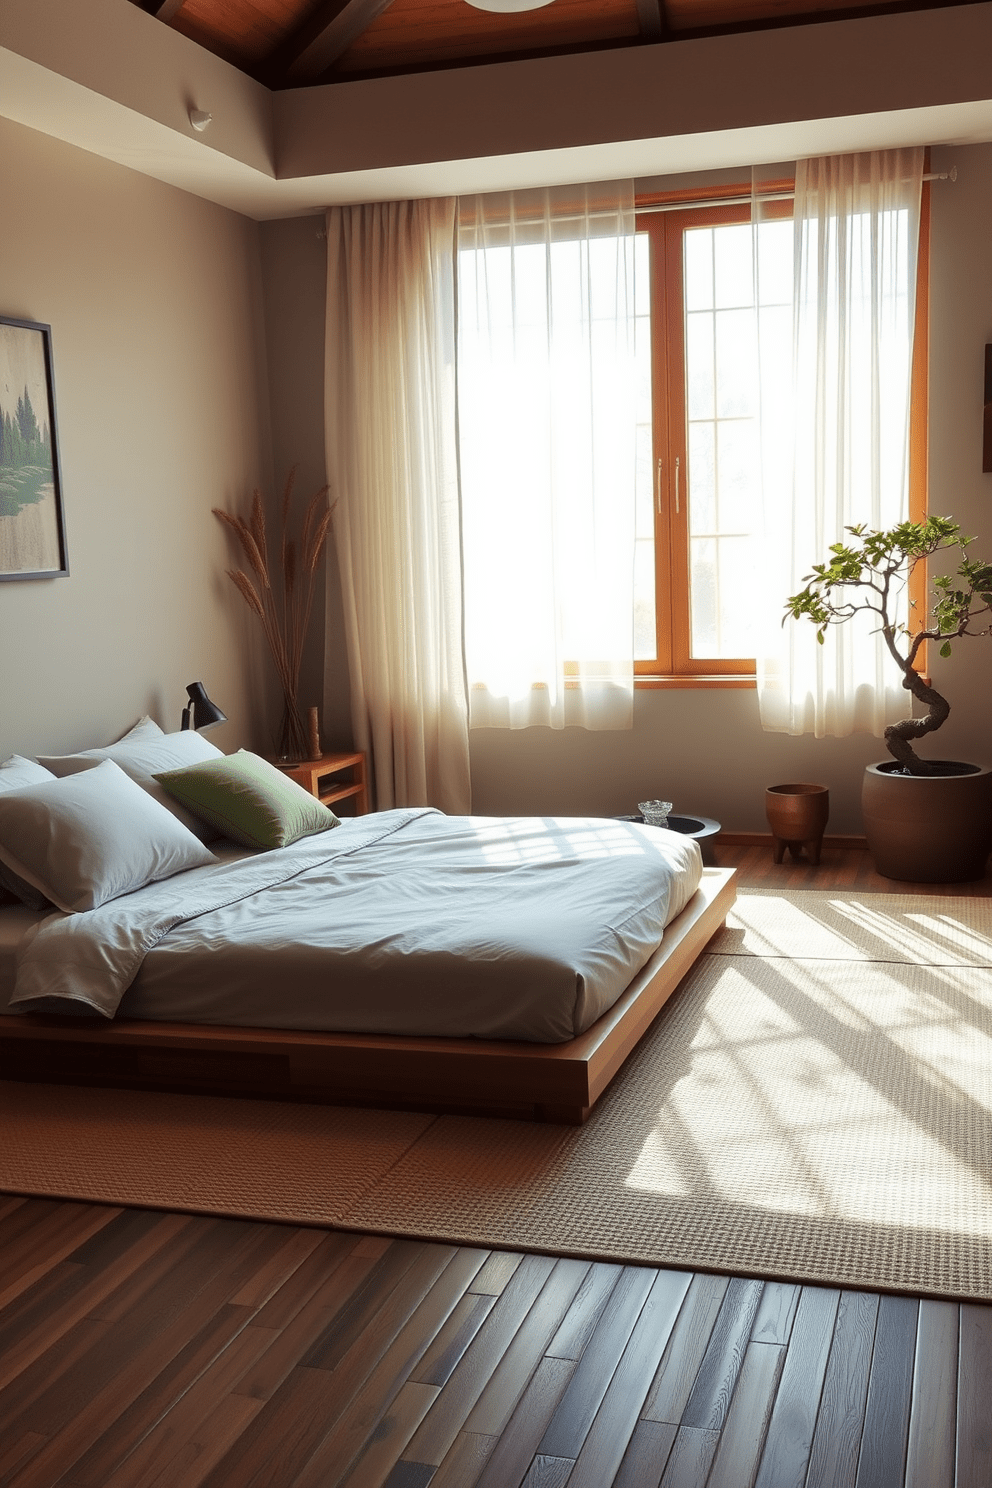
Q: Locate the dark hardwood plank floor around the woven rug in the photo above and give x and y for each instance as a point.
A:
(149, 1350)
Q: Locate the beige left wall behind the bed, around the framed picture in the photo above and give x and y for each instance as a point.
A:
(154, 298)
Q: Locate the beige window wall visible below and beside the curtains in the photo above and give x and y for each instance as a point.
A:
(706, 749)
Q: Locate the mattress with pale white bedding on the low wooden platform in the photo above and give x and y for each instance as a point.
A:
(410, 923)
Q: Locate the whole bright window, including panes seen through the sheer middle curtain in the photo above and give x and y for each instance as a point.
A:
(713, 336)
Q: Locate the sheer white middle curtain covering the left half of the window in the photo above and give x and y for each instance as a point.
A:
(547, 417)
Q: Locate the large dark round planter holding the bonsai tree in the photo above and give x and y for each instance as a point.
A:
(929, 830)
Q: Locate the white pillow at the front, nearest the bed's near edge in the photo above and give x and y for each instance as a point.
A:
(91, 838)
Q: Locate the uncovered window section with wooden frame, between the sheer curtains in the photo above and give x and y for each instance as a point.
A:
(713, 336)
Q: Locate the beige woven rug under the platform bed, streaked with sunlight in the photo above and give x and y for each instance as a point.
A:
(816, 1103)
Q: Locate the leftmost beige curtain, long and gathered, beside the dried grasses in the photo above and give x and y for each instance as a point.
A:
(392, 464)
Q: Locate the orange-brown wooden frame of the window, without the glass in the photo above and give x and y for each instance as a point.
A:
(674, 666)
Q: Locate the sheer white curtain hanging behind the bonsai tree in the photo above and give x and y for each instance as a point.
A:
(856, 242)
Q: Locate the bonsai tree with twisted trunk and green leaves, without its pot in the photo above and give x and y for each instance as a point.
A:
(871, 574)
